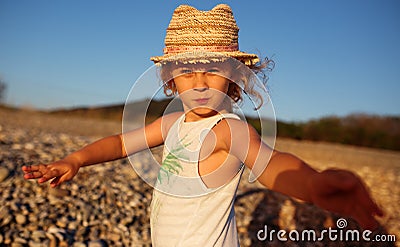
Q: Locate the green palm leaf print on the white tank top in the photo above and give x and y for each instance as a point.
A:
(171, 162)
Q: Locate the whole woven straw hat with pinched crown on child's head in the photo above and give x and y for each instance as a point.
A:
(202, 36)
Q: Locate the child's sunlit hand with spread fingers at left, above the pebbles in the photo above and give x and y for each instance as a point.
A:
(60, 171)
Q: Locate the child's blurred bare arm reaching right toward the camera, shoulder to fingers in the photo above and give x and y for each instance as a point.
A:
(339, 191)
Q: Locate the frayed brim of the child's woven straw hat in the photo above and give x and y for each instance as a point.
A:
(205, 57)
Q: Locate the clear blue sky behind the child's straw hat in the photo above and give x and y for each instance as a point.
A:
(332, 57)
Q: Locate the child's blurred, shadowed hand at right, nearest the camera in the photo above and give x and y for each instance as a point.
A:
(343, 192)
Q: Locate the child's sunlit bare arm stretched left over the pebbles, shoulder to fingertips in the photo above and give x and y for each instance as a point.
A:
(106, 149)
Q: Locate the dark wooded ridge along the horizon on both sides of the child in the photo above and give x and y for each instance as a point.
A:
(357, 129)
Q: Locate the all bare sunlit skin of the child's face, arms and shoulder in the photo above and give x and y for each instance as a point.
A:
(230, 143)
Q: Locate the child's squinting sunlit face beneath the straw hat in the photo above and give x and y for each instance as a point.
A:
(203, 89)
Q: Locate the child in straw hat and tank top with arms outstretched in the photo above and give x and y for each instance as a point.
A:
(206, 147)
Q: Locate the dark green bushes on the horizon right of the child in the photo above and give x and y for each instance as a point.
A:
(357, 129)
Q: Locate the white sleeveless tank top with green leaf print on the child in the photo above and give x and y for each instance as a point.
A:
(184, 212)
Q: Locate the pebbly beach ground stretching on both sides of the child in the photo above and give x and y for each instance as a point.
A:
(107, 205)
